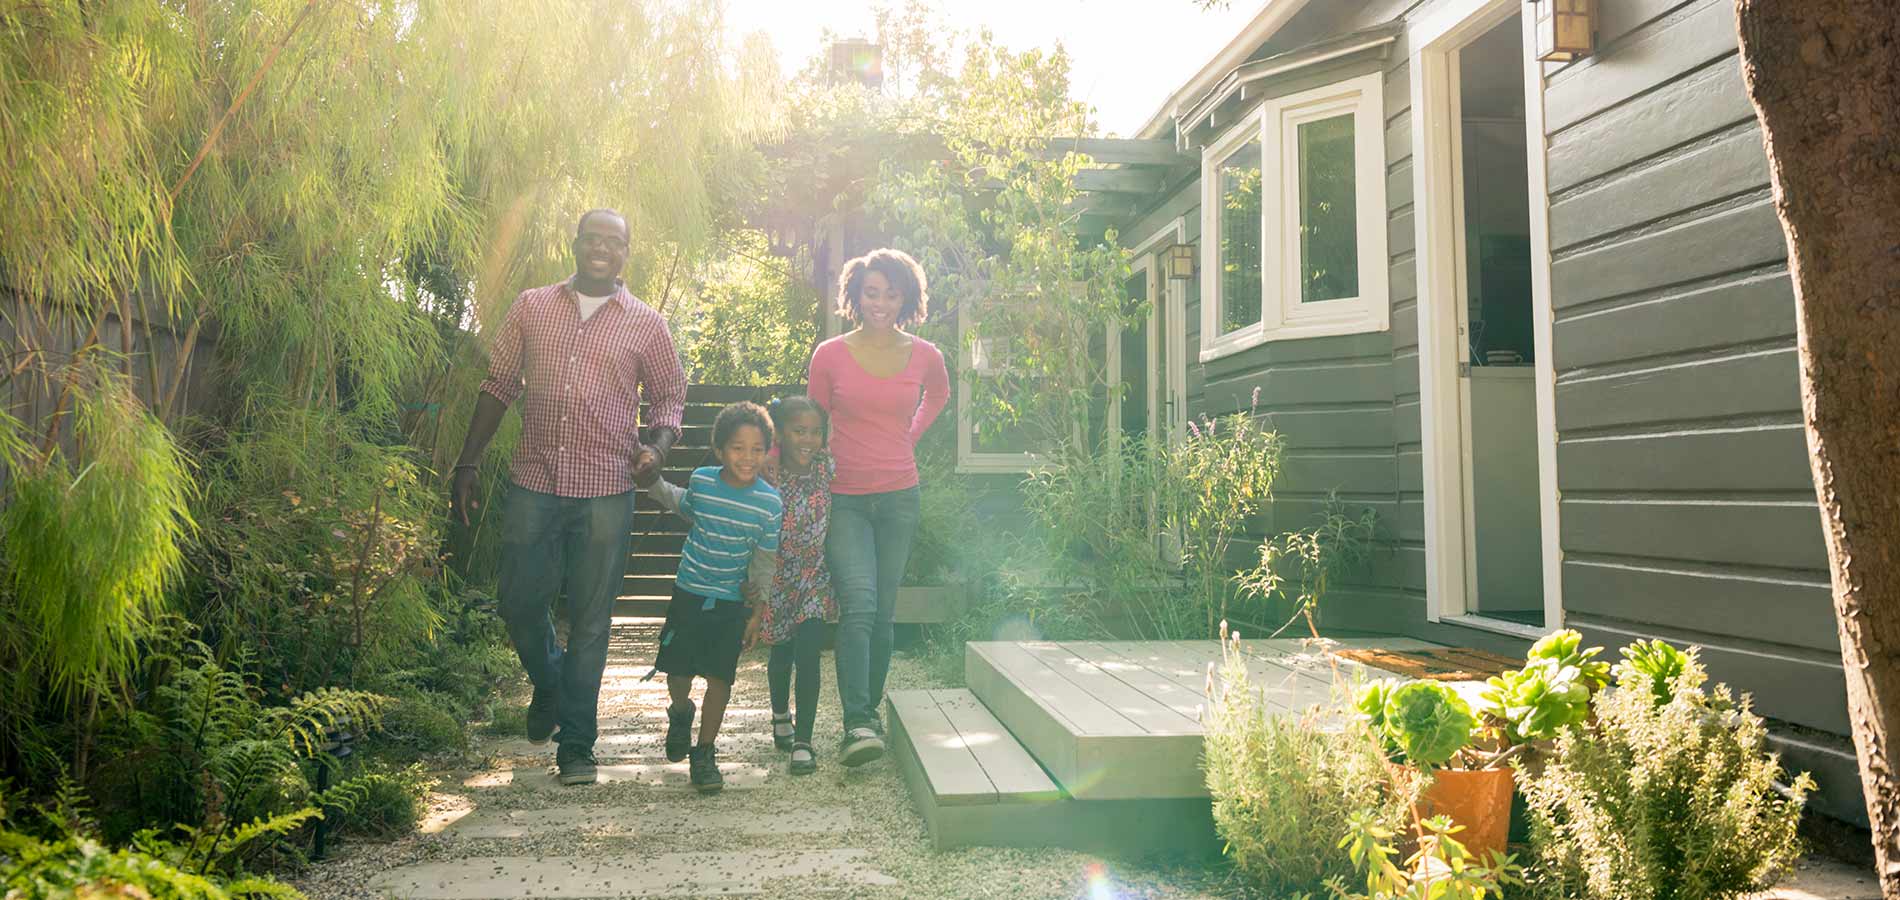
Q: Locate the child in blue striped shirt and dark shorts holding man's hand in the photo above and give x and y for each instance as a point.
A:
(729, 563)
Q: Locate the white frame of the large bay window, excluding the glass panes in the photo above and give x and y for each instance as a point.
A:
(1282, 312)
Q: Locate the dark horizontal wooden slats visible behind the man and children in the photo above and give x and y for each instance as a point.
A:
(658, 536)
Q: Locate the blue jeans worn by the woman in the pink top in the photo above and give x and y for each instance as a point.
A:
(867, 550)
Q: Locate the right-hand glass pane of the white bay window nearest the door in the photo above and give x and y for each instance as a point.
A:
(1329, 216)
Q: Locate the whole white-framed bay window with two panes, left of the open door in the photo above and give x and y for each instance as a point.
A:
(1295, 212)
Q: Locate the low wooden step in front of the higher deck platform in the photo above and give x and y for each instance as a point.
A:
(978, 787)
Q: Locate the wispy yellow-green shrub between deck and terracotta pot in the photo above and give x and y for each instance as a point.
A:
(1287, 787)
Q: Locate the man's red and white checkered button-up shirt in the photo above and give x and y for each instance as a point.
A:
(584, 383)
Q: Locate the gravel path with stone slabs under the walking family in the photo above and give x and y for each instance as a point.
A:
(497, 829)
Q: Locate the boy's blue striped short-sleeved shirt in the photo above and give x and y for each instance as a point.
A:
(727, 527)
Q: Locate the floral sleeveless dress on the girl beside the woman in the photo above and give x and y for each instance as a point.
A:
(803, 588)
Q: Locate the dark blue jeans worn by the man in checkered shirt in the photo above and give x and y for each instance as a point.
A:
(577, 546)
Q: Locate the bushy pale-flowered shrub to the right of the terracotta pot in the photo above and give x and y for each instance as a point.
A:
(1662, 800)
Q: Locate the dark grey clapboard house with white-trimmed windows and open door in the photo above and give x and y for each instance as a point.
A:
(1536, 314)
